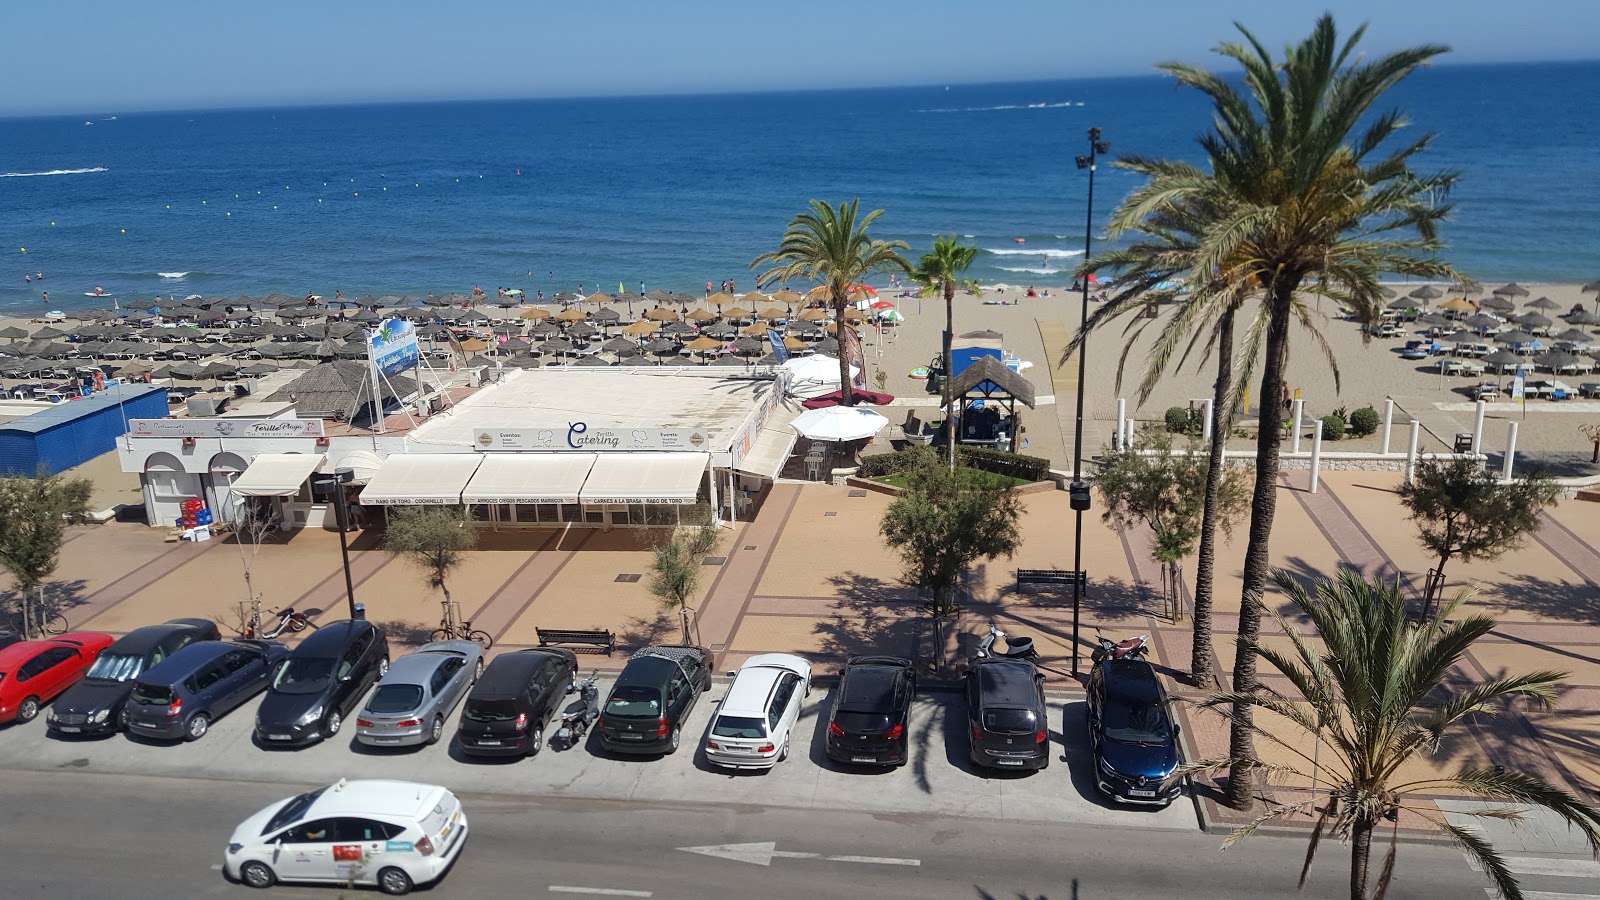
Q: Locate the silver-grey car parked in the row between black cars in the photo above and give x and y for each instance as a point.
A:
(418, 694)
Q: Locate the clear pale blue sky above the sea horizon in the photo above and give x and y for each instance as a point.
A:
(100, 57)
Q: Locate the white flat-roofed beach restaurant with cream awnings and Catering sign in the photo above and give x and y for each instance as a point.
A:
(532, 449)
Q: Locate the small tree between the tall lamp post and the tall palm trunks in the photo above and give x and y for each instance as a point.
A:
(1151, 484)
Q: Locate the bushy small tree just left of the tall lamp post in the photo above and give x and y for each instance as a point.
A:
(946, 521)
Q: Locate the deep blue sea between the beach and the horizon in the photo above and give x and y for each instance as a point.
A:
(678, 191)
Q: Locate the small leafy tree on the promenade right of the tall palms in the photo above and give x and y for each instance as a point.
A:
(1462, 510)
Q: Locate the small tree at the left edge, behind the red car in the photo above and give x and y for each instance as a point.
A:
(34, 518)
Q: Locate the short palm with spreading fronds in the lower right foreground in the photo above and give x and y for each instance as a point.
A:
(1385, 693)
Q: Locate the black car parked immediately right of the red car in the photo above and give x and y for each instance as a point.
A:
(95, 704)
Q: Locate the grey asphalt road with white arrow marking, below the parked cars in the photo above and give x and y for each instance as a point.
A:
(71, 834)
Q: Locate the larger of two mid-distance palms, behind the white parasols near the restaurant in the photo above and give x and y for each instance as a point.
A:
(830, 246)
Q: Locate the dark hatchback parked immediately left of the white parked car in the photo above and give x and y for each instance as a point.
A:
(652, 699)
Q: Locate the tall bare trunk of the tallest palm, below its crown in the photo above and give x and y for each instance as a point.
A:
(1263, 507)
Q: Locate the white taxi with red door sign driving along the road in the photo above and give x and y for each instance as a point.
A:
(393, 835)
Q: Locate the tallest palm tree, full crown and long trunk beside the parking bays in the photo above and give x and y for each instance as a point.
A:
(1295, 199)
